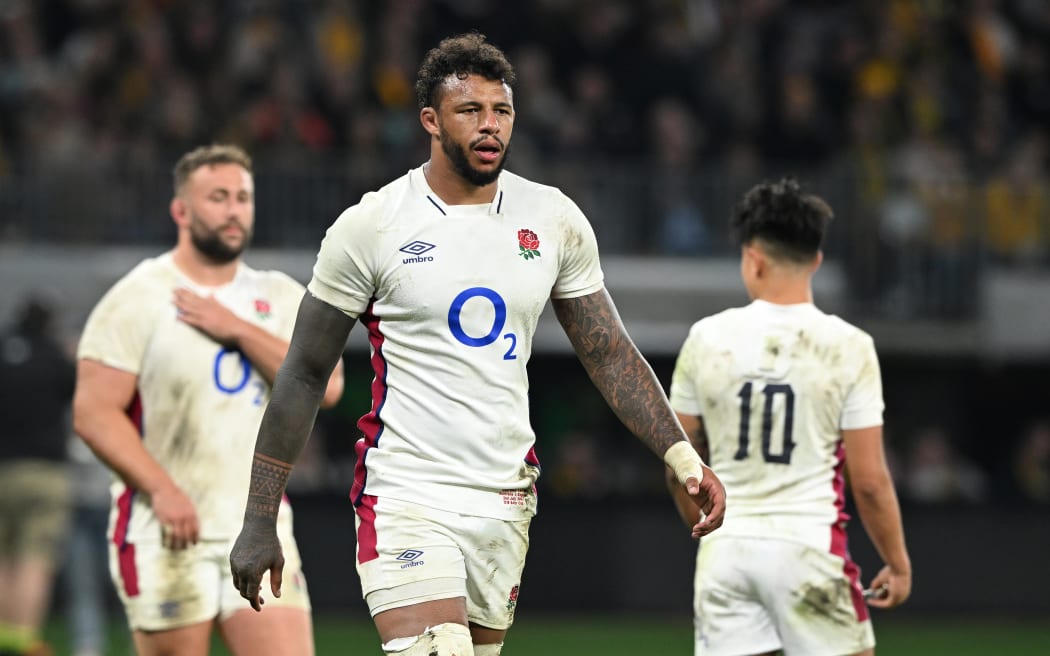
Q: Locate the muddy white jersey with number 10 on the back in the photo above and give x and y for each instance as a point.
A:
(774, 386)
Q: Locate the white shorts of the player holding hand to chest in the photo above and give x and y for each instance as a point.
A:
(165, 589)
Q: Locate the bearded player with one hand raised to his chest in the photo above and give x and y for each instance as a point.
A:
(175, 371)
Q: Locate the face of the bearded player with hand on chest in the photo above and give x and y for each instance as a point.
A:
(220, 204)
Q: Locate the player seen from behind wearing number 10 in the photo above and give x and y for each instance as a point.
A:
(786, 400)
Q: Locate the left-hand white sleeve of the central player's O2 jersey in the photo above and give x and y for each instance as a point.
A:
(345, 273)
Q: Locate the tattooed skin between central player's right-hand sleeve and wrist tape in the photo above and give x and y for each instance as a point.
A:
(618, 369)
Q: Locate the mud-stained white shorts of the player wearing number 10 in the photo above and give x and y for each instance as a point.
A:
(757, 596)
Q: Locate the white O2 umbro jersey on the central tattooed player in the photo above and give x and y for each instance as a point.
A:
(451, 297)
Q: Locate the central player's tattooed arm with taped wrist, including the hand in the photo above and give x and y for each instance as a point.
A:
(633, 391)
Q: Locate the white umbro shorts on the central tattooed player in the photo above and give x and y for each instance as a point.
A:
(408, 554)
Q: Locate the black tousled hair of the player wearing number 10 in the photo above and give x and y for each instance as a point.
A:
(789, 223)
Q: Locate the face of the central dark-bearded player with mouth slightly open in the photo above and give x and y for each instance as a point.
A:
(475, 120)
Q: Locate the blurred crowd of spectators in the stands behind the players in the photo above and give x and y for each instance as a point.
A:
(926, 122)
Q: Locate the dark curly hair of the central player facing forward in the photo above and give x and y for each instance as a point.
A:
(460, 56)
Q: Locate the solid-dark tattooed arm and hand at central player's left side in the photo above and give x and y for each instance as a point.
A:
(318, 343)
